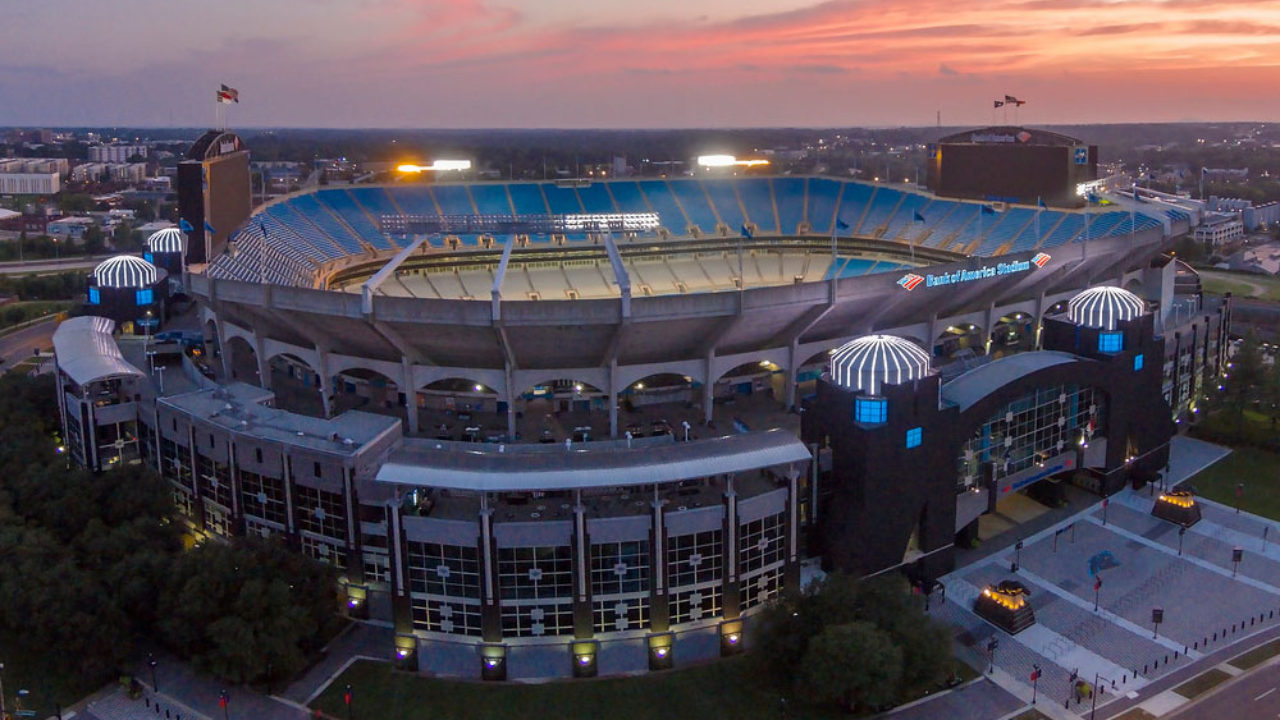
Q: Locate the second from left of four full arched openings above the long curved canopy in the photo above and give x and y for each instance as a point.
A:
(563, 409)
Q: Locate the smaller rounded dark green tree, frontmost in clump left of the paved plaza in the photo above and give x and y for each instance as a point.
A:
(854, 666)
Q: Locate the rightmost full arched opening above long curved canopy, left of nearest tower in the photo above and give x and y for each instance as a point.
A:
(749, 398)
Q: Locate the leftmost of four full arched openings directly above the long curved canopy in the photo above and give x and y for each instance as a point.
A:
(461, 409)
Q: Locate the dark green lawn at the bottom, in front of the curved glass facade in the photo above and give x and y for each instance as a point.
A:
(725, 689)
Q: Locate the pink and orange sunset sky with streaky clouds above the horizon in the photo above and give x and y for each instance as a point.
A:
(637, 63)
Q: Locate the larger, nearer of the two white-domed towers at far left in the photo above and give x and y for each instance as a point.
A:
(130, 291)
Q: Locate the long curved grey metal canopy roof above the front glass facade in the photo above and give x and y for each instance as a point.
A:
(420, 463)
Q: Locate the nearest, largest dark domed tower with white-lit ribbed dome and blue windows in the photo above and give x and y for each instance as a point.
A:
(889, 499)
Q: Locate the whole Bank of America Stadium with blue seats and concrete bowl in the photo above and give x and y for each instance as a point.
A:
(580, 427)
